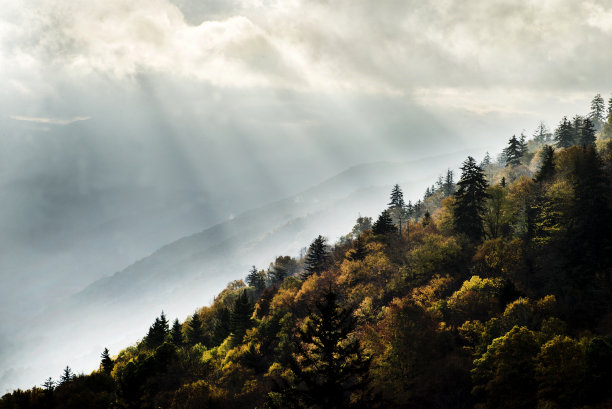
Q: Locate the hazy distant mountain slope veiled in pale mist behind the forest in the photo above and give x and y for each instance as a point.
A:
(191, 270)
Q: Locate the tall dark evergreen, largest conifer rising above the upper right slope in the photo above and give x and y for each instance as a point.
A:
(470, 199)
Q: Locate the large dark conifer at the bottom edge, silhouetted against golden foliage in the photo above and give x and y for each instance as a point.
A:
(329, 365)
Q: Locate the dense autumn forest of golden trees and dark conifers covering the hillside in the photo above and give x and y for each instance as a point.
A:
(492, 291)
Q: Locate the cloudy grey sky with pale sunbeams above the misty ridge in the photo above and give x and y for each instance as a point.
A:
(127, 124)
